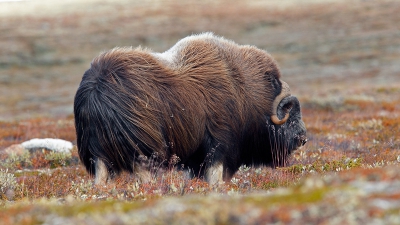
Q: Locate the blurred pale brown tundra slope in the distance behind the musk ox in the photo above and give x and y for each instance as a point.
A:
(327, 50)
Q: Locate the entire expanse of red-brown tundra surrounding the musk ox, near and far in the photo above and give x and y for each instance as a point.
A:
(341, 60)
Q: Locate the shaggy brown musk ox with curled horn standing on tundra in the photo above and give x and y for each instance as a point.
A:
(214, 104)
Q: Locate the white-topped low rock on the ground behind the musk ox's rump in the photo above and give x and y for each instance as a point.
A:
(57, 145)
